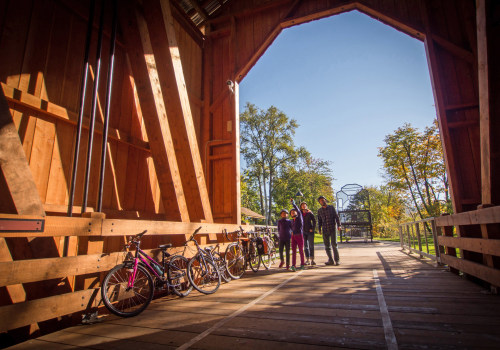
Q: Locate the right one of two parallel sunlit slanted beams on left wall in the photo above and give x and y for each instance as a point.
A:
(186, 109)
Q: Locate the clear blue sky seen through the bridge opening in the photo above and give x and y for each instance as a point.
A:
(348, 80)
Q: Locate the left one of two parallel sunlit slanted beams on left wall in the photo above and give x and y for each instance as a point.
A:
(151, 94)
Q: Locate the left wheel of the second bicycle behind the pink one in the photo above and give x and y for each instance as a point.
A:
(204, 278)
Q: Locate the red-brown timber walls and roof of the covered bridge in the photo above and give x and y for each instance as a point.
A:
(167, 102)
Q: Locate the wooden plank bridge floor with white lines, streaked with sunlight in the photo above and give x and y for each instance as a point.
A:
(378, 298)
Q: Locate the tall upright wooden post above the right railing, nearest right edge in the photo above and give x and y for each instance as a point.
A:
(484, 104)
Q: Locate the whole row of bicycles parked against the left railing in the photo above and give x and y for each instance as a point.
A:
(129, 287)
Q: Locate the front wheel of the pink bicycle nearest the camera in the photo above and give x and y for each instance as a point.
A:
(122, 301)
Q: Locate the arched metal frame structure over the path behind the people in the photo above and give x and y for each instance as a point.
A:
(353, 205)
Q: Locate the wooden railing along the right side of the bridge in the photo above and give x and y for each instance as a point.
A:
(455, 236)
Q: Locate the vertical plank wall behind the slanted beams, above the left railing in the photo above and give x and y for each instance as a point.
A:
(45, 45)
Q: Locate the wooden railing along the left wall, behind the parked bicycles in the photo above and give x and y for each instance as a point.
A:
(17, 277)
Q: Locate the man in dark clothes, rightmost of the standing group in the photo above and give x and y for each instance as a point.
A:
(327, 217)
